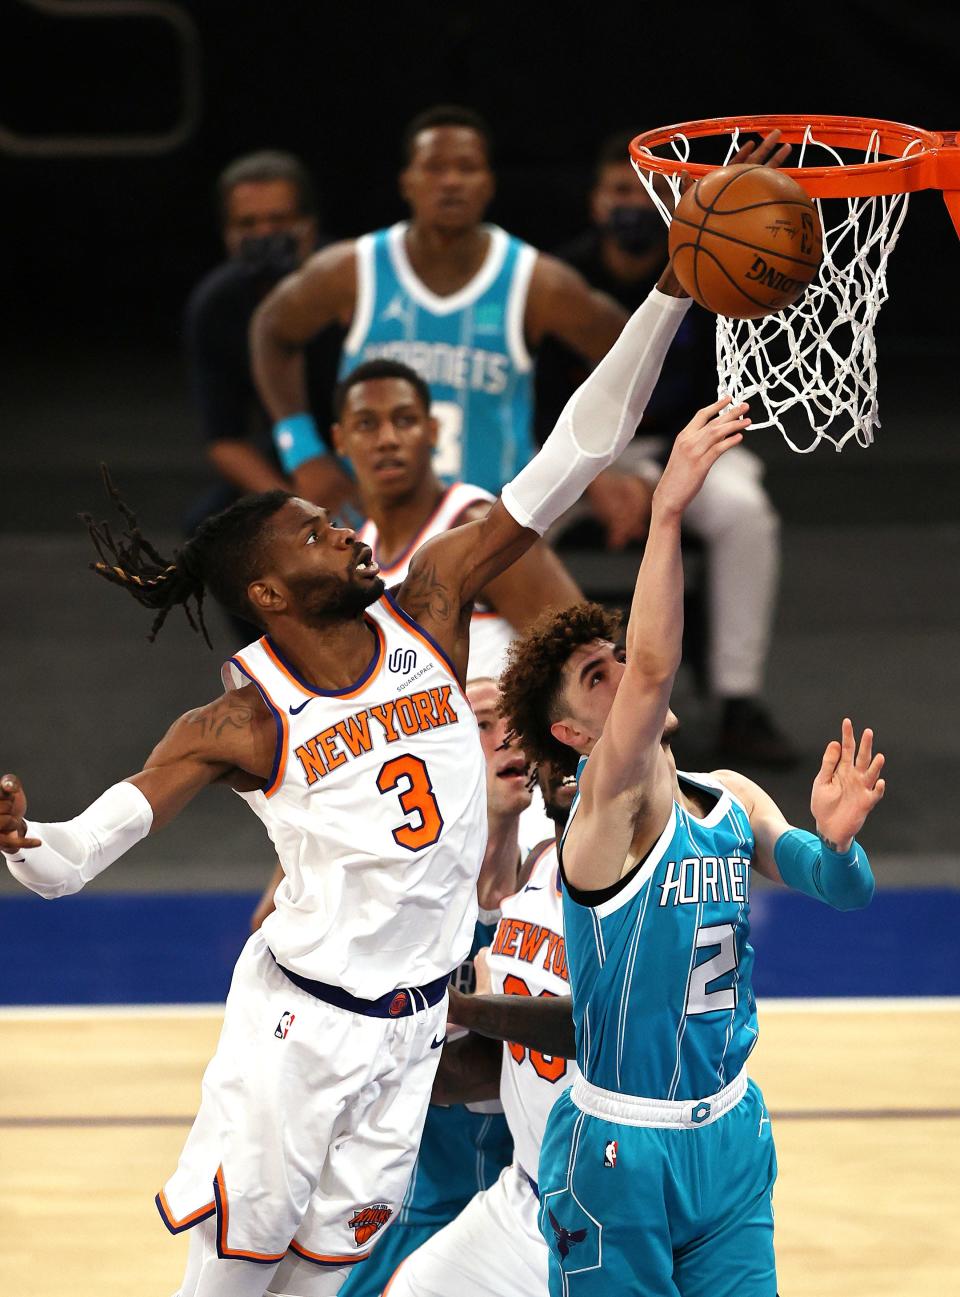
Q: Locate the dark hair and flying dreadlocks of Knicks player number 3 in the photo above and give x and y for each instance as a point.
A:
(224, 557)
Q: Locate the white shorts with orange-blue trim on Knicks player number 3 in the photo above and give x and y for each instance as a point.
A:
(309, 1121)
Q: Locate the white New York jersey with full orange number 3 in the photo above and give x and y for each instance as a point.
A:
(377, 806)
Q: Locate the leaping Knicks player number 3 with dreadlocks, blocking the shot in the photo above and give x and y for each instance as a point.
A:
(347, 732)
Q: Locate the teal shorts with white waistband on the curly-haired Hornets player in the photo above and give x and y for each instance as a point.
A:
(660, 1212)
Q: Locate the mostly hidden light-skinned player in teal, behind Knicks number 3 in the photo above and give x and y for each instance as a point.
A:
(464, 1148)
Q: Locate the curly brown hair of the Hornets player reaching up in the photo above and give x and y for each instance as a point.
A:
(533, 680)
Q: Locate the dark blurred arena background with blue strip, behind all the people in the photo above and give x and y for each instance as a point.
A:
(114, 129)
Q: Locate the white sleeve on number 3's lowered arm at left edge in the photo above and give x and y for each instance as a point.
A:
(73, 853)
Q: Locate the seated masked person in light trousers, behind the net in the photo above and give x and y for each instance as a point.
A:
(622, 255)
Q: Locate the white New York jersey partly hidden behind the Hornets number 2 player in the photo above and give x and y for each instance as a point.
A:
(529, 958)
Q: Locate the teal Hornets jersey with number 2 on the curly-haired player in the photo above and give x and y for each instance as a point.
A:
(661, 971)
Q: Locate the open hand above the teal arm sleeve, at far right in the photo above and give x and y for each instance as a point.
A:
(848, 788)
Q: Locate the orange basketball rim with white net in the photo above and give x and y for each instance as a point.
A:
(818, 356)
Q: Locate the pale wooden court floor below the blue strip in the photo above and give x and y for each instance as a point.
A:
(865, 1099)
